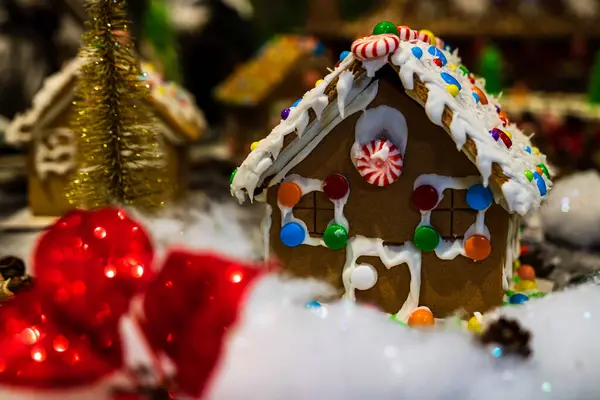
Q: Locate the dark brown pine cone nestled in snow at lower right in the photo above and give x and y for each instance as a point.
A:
(509, 336)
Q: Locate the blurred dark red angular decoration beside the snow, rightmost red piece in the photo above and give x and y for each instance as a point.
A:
(189, 309)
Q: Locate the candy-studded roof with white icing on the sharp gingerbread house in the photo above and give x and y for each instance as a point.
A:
(451, 97)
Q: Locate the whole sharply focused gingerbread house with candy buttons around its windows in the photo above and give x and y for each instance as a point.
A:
(398, 180)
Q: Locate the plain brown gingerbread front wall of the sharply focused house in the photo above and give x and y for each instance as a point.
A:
(388, 213)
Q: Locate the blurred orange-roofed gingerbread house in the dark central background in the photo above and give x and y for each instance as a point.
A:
(256, 91)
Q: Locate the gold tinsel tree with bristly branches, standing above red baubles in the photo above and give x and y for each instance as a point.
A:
(120, 159)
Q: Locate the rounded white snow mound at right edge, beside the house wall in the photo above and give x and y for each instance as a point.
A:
(572, 211)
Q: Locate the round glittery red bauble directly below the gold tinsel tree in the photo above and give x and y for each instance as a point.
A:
(92, 263)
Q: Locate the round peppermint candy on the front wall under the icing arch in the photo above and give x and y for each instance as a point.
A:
(380, 162)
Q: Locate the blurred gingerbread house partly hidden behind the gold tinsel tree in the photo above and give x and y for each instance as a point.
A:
(45, 128)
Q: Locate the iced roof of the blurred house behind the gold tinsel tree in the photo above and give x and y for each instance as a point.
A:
(174, 105)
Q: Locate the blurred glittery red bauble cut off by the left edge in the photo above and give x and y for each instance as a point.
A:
(39, 349)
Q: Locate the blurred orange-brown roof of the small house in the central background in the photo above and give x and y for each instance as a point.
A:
(253, 81)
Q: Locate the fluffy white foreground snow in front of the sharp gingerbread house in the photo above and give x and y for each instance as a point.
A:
(282, 350)
